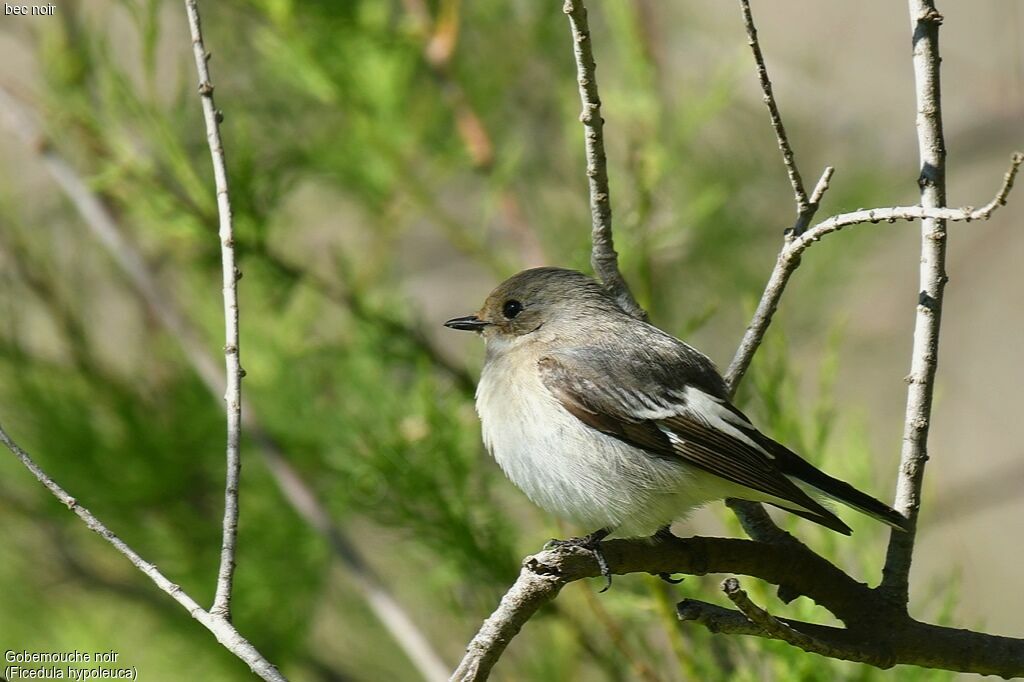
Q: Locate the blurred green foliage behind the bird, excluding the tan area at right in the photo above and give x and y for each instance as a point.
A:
(353, 181)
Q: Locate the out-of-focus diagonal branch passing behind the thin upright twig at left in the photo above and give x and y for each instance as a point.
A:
(160, 302)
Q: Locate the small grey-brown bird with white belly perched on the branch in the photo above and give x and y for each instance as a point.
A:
(611, 423)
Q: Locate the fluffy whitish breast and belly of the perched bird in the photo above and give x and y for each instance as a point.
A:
(576, 472)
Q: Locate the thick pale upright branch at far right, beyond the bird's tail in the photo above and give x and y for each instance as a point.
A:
(925, 21)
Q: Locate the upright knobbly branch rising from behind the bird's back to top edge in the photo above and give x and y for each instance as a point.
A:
(604, 260)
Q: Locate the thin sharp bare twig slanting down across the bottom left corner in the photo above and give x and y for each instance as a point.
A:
(221, 627)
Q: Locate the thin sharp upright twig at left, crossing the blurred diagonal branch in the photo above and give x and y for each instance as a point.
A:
(233, 393)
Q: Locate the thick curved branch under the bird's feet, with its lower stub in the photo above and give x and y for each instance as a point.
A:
(866, 612)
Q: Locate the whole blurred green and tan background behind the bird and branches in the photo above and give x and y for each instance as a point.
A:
(391, 161)
